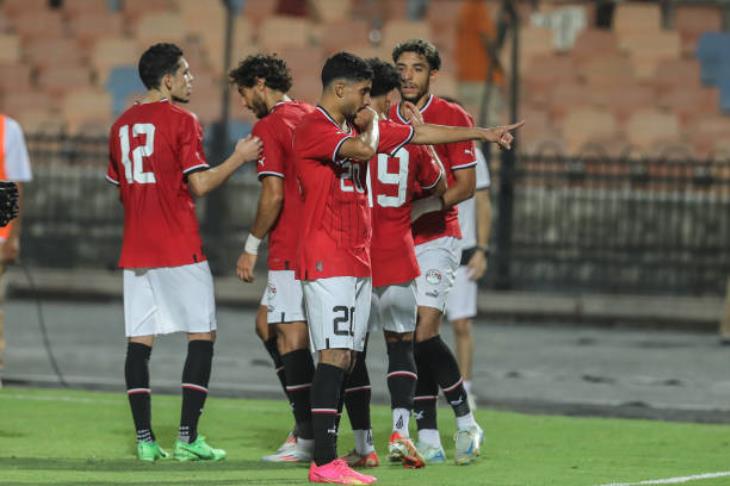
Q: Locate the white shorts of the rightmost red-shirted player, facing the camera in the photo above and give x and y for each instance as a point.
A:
(438, 260)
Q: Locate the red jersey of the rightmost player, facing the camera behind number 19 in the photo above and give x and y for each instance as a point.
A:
(454, 156)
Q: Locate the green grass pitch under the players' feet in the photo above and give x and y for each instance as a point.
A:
(77, 437)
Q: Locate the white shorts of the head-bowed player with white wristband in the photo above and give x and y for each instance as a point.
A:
(283, 298)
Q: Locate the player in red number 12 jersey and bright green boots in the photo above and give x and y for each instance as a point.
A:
(156, 160)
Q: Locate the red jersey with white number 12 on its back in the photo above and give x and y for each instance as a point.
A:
(152, 147)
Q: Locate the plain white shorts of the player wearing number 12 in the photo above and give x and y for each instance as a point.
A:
(169, 299)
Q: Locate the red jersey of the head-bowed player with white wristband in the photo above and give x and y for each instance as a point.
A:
(276, 131)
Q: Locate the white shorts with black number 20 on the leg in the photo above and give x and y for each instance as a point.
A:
(338, 310)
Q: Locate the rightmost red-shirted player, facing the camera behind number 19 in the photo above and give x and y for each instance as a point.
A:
(437, 249)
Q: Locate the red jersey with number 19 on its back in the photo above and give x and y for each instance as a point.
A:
(394, 179)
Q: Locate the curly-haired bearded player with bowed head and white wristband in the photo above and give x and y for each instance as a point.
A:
(263, 82)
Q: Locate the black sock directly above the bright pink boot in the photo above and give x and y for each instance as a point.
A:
(326, 387)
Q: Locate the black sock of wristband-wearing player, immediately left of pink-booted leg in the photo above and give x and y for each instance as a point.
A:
(299, 369)
